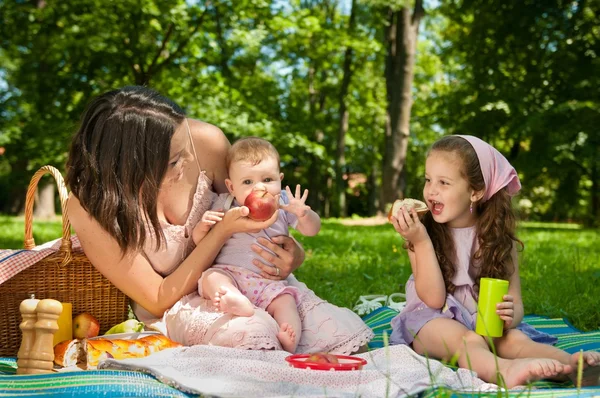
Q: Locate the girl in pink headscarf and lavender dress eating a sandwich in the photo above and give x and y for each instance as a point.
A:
(469, 233)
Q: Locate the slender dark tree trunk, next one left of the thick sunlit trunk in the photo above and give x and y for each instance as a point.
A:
(343, 124)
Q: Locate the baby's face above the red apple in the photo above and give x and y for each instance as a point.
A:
(245, 177)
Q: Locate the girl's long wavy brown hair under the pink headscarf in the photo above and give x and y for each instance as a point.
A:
(495, 227)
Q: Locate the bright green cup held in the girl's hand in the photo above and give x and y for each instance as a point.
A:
(491, 292)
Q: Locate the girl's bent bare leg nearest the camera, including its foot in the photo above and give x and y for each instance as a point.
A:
(443, 338)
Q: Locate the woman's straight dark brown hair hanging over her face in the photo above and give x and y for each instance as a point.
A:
(118, 159)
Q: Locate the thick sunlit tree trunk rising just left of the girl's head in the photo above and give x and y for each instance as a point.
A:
(401, 40)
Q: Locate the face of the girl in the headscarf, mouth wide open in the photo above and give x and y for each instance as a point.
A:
(447, 193)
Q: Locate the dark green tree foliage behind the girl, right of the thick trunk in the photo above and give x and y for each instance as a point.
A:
(522, 73)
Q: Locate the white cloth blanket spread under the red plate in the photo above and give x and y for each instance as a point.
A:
(395, 371)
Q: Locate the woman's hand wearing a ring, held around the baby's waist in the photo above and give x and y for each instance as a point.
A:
(288, 256)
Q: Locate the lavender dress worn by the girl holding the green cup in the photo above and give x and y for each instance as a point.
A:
(460, 306)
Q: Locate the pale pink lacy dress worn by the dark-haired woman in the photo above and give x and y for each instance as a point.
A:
(192, 320)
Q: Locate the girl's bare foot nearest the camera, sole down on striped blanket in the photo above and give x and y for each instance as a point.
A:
(521, 371)
